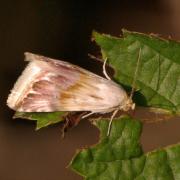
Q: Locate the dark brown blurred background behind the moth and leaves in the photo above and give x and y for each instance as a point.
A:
(62, 29)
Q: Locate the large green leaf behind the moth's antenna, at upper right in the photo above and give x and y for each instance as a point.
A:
(158, 77)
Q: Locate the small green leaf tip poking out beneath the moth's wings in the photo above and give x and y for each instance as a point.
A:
(43, 118)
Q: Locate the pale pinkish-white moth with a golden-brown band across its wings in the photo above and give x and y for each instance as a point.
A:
(48, 85)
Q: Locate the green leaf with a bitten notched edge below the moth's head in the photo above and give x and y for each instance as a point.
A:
(119, 156)
